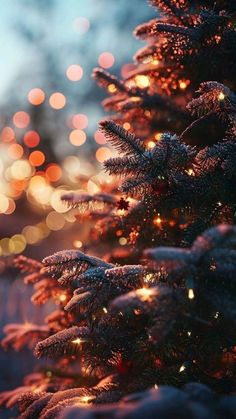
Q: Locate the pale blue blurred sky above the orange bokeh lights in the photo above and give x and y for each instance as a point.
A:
(41, 38)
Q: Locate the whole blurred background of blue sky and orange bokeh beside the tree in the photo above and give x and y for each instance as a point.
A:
(49, 143)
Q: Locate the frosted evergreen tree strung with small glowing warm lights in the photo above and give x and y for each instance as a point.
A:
(161, 312)
